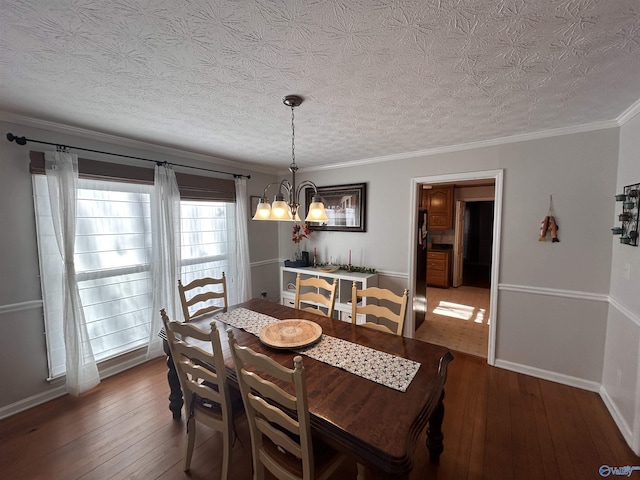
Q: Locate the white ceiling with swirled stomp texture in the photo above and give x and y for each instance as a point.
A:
(378, 77)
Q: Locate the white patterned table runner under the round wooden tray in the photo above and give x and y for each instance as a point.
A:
(380, 367)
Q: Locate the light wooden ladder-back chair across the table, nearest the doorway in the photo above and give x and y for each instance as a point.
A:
(389, 309)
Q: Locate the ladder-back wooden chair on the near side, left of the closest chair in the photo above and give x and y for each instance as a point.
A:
(206, 392)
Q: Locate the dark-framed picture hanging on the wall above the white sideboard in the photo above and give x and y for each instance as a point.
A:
(345, 206)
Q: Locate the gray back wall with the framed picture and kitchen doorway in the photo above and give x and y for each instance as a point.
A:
(553, 293)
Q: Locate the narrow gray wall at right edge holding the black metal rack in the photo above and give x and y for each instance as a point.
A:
(621, 375)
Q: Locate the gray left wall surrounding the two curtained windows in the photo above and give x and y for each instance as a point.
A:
(21, 317)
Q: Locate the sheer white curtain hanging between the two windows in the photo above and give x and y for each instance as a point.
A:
(165, 228)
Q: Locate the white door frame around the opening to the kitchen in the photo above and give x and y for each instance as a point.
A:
(497, 176)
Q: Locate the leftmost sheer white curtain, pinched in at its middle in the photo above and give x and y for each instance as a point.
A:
(62, 178)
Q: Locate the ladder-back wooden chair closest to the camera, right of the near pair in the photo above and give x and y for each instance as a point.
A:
(279, 422)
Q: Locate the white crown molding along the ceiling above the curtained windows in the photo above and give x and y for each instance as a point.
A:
(128, 142)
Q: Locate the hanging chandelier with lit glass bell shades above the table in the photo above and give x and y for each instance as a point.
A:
(287, 201)
